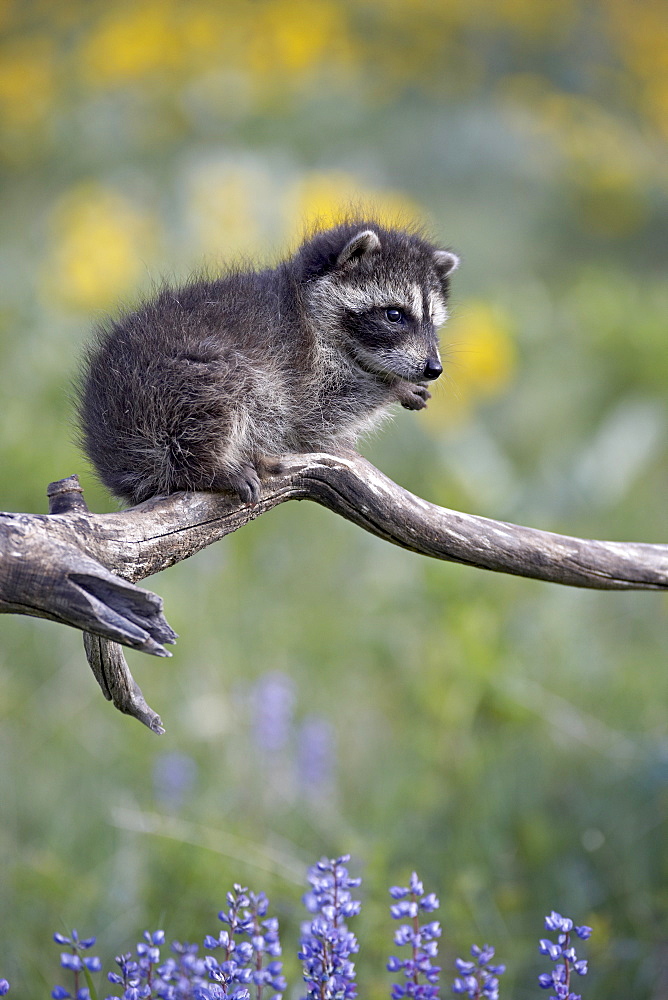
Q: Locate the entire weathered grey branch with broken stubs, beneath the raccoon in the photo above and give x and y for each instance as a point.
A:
(38, 553)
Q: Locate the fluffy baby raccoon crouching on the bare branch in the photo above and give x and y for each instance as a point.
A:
(202, 387)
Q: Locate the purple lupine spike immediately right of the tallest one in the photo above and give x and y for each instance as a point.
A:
(420, 976)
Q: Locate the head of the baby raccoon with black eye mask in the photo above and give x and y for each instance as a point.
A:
(380, 294)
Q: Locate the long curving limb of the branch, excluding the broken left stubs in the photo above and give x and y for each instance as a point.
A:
(154, 535)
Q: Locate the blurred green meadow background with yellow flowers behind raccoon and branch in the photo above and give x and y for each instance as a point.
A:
(329, 693)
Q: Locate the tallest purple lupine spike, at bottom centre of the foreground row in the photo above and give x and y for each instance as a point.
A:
(326, 942)
